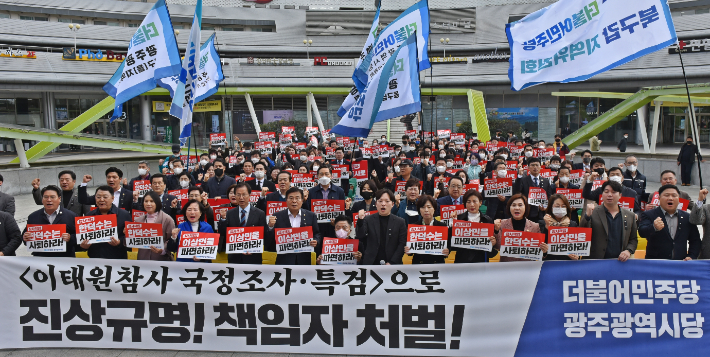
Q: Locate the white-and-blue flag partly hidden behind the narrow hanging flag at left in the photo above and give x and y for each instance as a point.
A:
(209, 74)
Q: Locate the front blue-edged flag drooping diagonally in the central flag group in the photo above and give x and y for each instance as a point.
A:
(361, 116)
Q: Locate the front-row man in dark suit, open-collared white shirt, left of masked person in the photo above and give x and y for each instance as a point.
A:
(293, 217)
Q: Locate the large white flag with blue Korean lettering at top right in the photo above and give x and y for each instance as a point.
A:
(574, 40)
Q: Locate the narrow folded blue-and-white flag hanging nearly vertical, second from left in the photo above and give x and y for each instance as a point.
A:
(186, 88)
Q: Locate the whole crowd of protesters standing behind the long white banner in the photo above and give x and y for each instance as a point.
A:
(406, 183)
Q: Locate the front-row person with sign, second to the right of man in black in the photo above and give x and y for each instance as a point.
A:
(472, 201)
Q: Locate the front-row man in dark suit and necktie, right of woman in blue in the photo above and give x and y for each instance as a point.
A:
(242, 216)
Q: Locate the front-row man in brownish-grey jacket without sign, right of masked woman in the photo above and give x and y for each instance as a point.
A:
(613, 228)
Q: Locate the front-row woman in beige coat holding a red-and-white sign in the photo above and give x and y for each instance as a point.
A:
(152, 205)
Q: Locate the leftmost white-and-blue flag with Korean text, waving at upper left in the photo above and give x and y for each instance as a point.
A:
(152, 55)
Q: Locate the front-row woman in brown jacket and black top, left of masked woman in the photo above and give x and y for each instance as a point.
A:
(518, 208)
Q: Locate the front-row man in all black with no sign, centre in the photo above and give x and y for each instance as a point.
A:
(383, 235)
